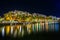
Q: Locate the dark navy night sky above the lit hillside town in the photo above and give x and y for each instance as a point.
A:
(47, 7)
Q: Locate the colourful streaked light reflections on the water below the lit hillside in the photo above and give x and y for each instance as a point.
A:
(21, 30)
